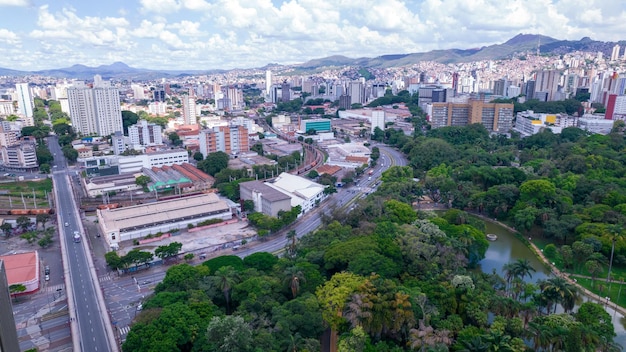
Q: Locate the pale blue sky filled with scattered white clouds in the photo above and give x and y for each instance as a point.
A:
(227, 34)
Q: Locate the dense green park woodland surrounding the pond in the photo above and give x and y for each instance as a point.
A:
(389, 277)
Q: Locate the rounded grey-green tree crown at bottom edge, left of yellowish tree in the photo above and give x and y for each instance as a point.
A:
(229, 334)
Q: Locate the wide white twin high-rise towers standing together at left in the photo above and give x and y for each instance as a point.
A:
(95, 110)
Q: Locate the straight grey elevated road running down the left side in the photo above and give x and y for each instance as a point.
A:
(91, 329)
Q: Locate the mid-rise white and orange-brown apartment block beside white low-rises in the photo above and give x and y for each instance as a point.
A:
(228, 139)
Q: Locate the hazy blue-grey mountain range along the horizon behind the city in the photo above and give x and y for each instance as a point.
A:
(517, 45)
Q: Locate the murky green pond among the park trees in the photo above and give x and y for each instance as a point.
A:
(508, 248)
